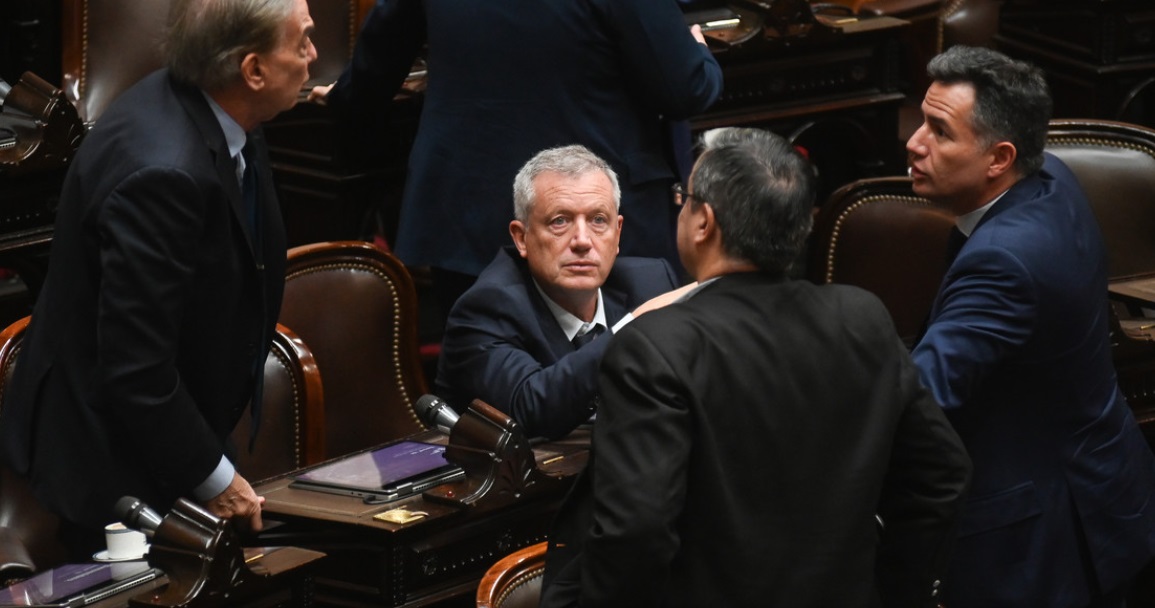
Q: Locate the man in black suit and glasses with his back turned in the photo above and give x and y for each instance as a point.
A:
(750, 434)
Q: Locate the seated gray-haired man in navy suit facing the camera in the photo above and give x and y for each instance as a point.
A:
(511, 338)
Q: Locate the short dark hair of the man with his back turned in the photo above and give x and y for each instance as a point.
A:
(763, 195)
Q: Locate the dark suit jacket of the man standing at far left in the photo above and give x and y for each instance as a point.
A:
(157, 315)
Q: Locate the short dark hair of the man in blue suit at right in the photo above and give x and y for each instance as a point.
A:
(1012, 101)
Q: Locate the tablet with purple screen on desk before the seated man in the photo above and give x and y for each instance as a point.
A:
(383, 474)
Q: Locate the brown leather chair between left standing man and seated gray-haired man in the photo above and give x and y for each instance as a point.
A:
(356, 308)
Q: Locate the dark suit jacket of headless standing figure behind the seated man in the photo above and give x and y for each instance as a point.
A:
(511, 79)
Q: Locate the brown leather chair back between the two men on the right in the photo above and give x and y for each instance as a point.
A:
(878, 235)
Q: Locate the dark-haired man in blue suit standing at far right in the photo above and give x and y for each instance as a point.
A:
(1017, 350)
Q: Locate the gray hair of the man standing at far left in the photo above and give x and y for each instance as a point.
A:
(208, 39)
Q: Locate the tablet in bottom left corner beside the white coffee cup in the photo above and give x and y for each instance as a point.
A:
(72, 585)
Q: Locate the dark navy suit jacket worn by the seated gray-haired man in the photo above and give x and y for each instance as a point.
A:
(504, 346)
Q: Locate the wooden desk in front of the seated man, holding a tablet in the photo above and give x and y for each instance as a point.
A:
(441, 557)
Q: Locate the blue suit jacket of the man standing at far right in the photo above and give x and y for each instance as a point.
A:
(1018, 353)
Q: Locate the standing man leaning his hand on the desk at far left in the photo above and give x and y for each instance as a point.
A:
(165, 285)
